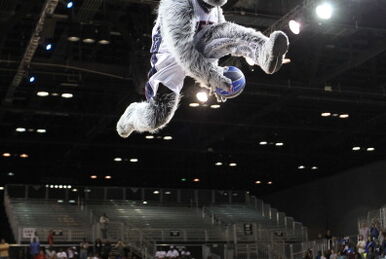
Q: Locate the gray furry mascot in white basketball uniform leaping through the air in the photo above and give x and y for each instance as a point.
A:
(189, 38)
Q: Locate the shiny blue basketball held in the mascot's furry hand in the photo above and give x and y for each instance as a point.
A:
(238, 82)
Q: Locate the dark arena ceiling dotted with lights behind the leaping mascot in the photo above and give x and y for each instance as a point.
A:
(338, 67)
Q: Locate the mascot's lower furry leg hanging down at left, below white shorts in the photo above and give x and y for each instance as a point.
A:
(149, 116)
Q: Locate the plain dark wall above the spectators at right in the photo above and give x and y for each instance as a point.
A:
(335, 202)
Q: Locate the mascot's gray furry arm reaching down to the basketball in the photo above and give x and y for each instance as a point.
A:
(178, 30)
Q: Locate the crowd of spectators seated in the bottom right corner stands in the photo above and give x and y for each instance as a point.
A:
(369, 244)
